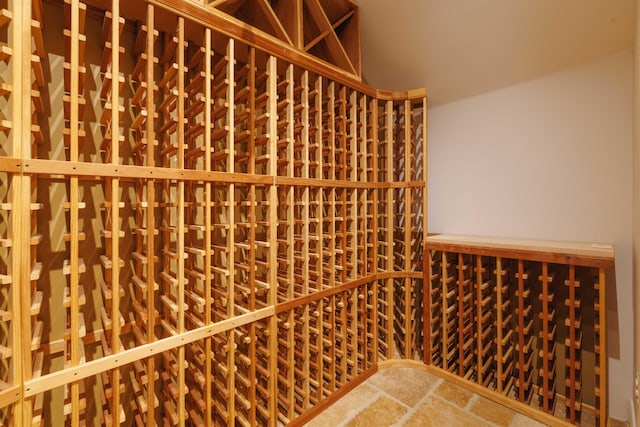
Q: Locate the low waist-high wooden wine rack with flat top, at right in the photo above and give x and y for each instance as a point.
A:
(520, 321)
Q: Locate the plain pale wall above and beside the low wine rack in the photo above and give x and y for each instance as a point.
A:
(552, 159)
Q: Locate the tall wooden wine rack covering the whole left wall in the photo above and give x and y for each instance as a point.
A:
(199, 225)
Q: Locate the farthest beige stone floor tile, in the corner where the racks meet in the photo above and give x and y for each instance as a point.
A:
(408, 385)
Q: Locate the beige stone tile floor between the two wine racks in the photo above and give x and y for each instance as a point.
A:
(410, 397)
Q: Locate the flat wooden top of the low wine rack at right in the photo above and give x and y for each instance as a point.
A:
(561, 252)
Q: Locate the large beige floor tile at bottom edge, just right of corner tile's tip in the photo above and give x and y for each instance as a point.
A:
(435, 412)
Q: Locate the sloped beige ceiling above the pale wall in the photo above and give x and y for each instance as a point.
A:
(460, 48)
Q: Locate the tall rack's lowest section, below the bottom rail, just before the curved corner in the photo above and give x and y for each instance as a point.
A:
(322, 345)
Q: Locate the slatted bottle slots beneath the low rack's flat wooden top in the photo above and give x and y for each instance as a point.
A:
(486, 326)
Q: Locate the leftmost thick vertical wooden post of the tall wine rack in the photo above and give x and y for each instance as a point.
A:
(19, 226)
